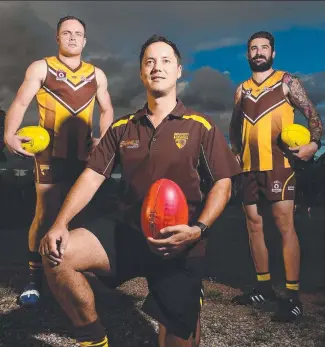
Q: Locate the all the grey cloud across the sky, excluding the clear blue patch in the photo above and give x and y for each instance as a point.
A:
(116, 31)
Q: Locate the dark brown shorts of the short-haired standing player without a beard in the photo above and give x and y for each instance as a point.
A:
(56, 170)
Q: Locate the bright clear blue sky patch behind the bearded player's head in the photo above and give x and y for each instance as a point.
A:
(299, 49)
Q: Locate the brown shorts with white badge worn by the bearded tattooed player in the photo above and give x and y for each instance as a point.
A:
(274, 185)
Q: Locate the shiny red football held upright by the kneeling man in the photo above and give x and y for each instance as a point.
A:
(164, 205)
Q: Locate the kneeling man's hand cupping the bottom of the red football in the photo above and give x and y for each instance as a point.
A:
(175, 240)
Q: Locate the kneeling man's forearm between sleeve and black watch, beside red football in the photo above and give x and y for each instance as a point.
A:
(216, 201)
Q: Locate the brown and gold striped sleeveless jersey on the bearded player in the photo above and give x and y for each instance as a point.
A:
(265, 112)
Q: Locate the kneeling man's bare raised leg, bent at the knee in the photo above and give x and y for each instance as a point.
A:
(69, 285)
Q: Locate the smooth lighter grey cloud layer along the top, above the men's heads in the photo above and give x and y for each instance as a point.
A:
(123, 26)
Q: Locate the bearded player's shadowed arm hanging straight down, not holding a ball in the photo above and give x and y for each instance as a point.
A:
(236, 124)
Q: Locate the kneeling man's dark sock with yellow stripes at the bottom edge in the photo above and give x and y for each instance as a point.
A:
(92, 335)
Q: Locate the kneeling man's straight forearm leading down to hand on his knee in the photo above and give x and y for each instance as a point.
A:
(79, 196)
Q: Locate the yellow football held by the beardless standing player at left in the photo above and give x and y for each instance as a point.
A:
(40, 138)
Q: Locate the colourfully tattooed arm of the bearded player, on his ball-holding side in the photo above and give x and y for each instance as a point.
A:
(299, 99)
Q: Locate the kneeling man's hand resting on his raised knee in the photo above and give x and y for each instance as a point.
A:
(54, 243)
